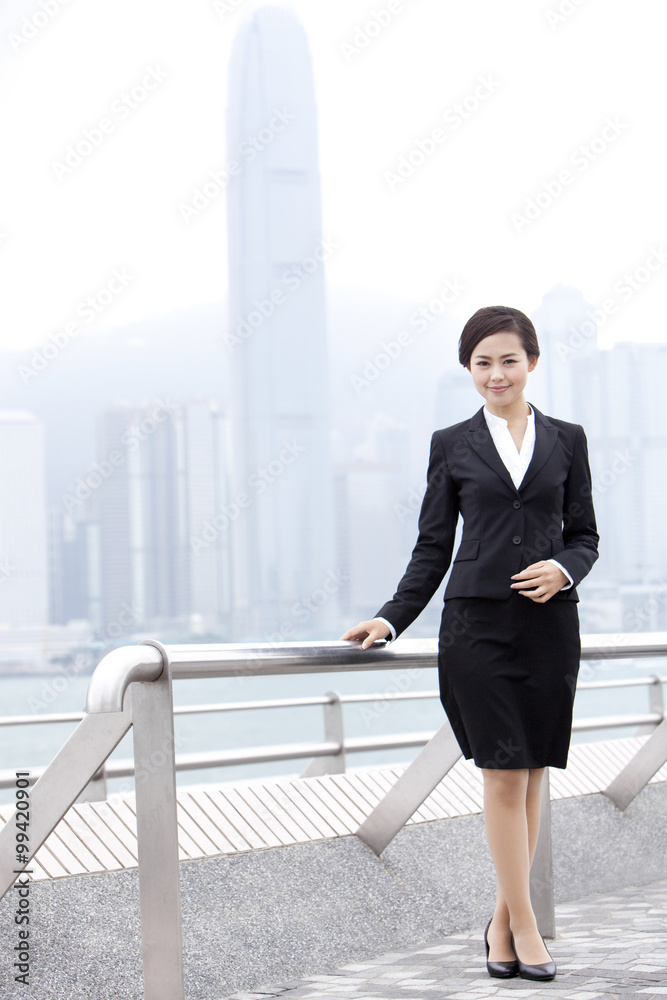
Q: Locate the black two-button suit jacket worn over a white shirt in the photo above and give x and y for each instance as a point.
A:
(504, 529)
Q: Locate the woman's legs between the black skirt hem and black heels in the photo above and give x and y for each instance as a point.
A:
(512, 816)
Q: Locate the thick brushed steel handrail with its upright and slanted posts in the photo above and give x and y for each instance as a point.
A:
(132, 686)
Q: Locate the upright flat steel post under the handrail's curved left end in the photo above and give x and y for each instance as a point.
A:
(157, 835)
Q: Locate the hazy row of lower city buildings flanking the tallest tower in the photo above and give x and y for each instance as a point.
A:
(376, 503)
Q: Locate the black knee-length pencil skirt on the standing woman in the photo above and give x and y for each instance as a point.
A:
(508, 672)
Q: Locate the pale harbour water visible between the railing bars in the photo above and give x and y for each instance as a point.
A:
(22, 747)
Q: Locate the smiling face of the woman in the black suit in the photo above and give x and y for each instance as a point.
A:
(499, 367)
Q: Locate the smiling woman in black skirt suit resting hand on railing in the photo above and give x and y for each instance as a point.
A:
(509, 647)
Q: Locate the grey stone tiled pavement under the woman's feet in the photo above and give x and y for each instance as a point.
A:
(608, 945)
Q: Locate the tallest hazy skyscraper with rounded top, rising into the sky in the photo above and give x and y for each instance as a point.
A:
(284, 534)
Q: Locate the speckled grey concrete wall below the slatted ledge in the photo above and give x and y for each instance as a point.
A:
(274, 915)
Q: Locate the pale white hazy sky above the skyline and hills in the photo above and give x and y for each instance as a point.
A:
(564, 99)
